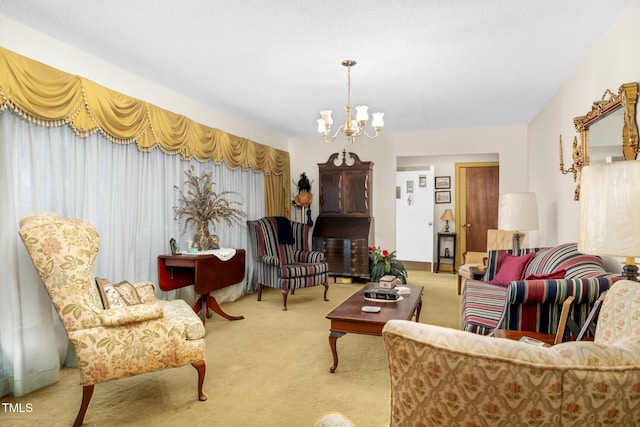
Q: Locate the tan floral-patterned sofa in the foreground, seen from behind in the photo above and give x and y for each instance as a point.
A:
(447, 377)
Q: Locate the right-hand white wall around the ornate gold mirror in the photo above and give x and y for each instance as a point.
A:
(611, 63)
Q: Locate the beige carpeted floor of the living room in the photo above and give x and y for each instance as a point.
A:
(269, 369)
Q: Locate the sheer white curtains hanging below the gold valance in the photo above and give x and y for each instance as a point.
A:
(127, 194)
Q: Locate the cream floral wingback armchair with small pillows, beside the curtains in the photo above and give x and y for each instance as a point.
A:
(117, 330)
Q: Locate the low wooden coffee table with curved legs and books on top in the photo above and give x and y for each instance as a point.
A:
(349, 318)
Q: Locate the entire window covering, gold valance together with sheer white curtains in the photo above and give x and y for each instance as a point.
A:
(70, 146)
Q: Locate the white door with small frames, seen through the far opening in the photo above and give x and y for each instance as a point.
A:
(414, 215)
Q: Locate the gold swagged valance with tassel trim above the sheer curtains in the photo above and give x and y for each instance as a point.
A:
(50, 97)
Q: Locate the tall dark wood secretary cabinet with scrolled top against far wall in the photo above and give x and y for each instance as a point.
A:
(344, 228)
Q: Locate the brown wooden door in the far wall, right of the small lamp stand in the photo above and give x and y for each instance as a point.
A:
(477, 194)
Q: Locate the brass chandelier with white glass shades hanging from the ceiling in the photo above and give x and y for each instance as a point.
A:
(352, 128)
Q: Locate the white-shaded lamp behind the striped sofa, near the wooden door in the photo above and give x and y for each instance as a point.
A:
(518, 212)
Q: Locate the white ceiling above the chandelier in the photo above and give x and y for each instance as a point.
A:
(427, 64)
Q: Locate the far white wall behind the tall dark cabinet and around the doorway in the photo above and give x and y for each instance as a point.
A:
(508, 142)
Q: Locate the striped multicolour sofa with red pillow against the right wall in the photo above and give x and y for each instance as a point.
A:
(535, 305)
